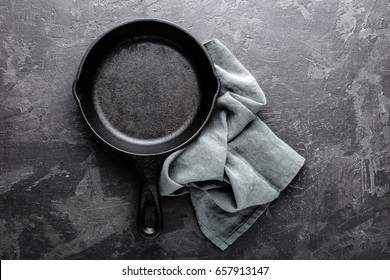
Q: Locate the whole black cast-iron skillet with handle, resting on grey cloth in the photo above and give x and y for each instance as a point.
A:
(146, 88)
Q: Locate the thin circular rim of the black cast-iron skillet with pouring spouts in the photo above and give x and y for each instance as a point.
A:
(159, 21)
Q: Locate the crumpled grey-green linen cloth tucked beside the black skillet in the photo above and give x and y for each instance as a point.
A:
(237, 165)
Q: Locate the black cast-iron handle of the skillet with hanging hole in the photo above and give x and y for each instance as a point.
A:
(149, 216)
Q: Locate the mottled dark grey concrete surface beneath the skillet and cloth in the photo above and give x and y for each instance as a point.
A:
(324, 66)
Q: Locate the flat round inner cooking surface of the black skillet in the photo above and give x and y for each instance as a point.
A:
(146, 90)
